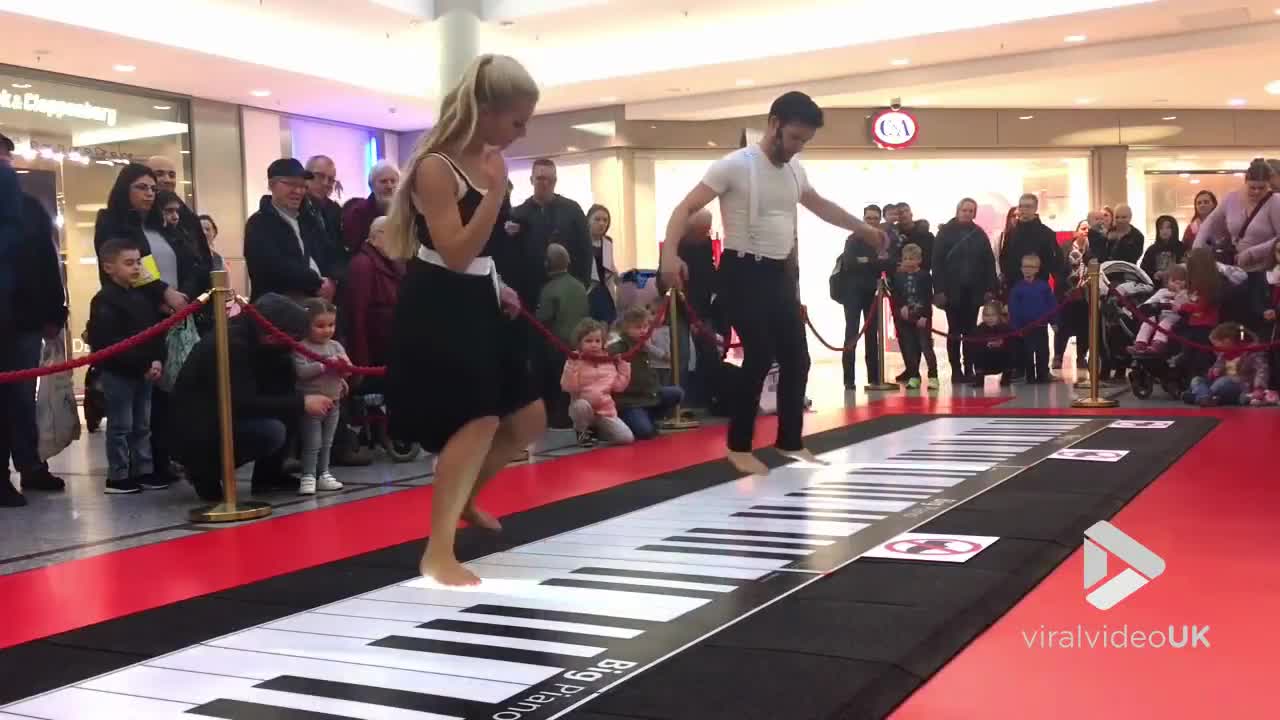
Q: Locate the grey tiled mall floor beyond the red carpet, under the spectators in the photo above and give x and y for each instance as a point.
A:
(84, 522)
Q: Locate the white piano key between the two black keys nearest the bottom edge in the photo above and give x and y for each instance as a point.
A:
(202, 690)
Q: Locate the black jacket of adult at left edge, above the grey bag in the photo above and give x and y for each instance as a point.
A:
(38, 297)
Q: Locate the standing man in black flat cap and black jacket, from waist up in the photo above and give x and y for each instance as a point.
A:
(285, 248)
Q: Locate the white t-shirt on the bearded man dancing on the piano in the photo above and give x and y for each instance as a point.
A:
(771, 229)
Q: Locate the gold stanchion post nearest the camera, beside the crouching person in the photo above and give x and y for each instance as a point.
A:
(228, 511)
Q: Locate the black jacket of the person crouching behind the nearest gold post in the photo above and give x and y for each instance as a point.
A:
(264, 385)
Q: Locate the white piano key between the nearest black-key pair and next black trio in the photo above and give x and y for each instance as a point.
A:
(359, 651)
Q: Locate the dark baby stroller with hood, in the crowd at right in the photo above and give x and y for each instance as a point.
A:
(1121, 330)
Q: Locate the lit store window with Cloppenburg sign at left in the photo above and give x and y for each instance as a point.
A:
(72, 139)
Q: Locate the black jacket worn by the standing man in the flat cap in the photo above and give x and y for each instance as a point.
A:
(276, 262)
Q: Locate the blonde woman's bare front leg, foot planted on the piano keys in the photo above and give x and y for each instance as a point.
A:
(456, 471)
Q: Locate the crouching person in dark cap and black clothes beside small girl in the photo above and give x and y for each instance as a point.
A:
(266, 402)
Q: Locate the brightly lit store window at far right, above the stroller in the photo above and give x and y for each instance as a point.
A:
(1164, 183)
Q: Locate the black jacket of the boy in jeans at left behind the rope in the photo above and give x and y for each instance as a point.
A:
(118, 313)
